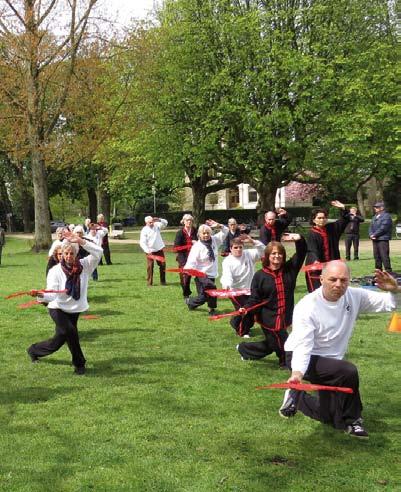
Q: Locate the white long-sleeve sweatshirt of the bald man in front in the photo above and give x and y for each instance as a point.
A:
(321, 327)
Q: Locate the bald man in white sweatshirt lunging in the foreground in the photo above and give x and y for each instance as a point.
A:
(323, 323)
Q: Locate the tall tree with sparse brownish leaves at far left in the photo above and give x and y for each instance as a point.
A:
(44, 62)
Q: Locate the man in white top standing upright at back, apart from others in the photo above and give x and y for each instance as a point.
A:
(152, 244)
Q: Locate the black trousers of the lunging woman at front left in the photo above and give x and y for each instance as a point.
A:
(66, 332)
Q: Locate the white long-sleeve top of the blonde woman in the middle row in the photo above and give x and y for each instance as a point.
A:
(198, 257)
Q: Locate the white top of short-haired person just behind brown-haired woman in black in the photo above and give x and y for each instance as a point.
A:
(238, 271)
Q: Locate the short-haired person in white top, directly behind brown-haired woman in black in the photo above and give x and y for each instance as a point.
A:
(238, 271)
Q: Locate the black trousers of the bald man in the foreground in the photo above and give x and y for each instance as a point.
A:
(331, 407)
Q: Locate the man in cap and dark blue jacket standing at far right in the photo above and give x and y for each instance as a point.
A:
(380, 233)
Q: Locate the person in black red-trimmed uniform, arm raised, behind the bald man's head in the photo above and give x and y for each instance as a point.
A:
(323, 241)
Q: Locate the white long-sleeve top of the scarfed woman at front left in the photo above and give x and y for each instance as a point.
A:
(56, 280)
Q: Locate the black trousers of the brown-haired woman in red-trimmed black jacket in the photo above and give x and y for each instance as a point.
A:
(273, 342)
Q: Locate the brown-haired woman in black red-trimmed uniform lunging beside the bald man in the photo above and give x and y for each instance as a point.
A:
(276, 284)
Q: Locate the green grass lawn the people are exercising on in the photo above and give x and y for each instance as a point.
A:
(167, 404)
